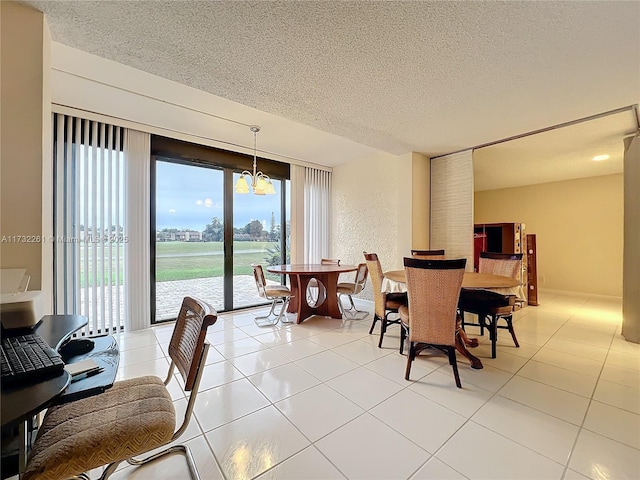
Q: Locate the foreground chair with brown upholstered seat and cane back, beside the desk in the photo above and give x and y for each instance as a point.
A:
(131, 418)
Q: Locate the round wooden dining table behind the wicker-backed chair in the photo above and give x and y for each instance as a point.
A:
(396, 281)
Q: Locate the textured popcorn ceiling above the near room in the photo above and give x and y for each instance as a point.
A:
(430, 77)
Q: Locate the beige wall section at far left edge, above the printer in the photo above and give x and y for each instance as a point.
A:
(25, 130)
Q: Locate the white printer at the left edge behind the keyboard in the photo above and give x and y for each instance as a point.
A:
(19, 308)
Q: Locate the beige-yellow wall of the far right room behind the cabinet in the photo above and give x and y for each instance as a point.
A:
(578, 226)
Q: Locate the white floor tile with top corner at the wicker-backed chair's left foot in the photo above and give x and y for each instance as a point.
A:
(422, 421)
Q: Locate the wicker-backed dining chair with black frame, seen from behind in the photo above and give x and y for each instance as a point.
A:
(433, 288)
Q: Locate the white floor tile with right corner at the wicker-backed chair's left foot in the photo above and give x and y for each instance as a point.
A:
(364, 387)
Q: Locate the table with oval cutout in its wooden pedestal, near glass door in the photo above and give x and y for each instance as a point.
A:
(300, 275)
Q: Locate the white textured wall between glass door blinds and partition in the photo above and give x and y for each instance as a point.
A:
(369, 196)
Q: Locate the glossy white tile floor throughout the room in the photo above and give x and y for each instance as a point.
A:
(320, 400)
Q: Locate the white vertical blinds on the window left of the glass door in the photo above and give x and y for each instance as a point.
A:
(89, 219)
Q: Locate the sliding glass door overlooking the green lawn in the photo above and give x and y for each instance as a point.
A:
(207, 236)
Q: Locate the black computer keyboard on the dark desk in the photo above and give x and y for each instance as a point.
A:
(28, 357)
